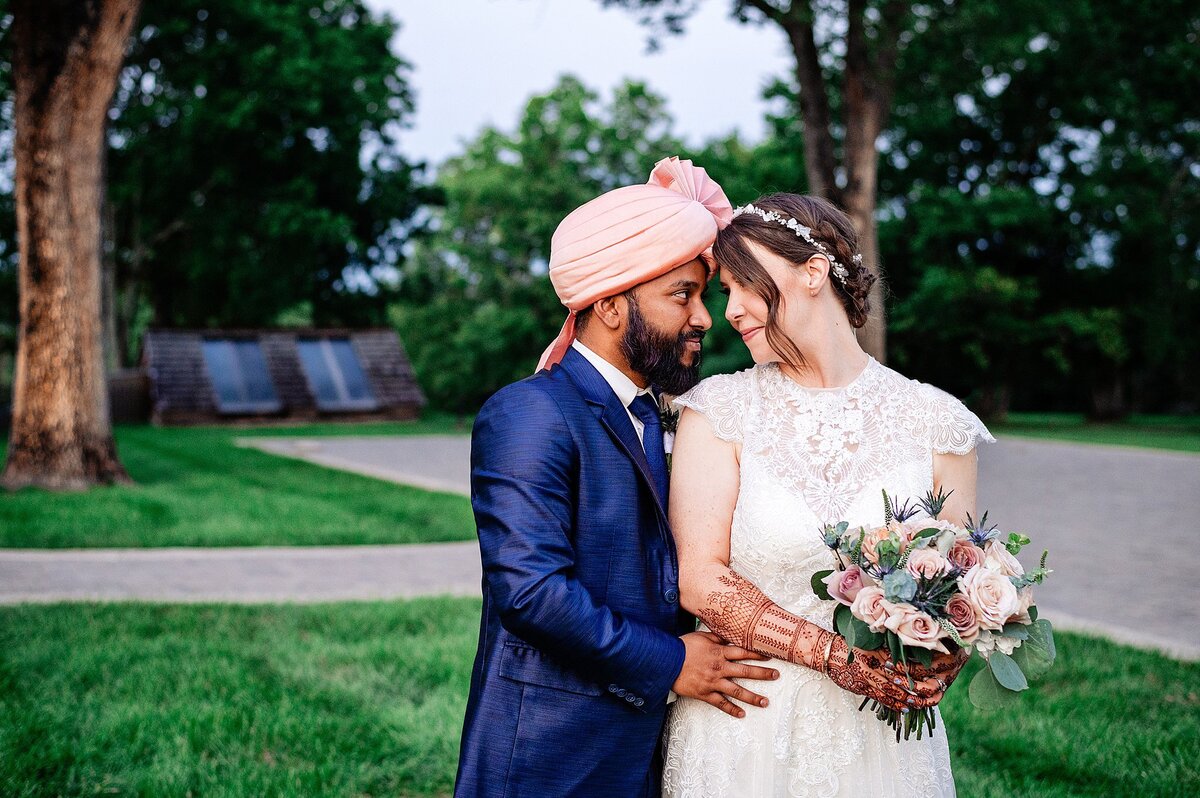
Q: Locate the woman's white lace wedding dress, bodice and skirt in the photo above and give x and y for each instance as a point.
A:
(812, 457)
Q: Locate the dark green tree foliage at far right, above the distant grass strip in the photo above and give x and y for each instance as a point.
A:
(1019, 148)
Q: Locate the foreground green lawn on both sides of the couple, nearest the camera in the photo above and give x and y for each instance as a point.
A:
(367, 700)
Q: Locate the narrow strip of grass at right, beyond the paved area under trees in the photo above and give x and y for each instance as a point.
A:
(1172, 433)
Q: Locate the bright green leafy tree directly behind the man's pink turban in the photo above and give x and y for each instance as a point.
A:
(477, 309)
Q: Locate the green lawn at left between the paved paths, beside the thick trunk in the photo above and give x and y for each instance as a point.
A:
(195, 488)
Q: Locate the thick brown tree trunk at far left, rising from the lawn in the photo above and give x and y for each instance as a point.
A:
(67, 59)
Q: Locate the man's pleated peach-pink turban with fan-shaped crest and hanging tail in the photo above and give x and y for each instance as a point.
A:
(632, 236)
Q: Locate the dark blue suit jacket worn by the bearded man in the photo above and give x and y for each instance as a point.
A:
(579, 644)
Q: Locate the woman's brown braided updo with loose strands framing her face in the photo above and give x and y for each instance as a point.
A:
(830, 226)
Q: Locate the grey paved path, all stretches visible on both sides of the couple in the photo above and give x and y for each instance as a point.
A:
(1120, 525)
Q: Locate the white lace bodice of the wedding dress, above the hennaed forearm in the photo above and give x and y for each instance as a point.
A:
(815, 457)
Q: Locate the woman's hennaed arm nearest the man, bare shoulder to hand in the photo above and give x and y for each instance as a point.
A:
(705, 481)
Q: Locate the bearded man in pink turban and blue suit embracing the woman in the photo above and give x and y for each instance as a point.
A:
(583, 639)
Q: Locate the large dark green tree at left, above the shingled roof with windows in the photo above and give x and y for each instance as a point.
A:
(254, 165)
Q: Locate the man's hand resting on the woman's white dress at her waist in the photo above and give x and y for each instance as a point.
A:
(709, 669)
